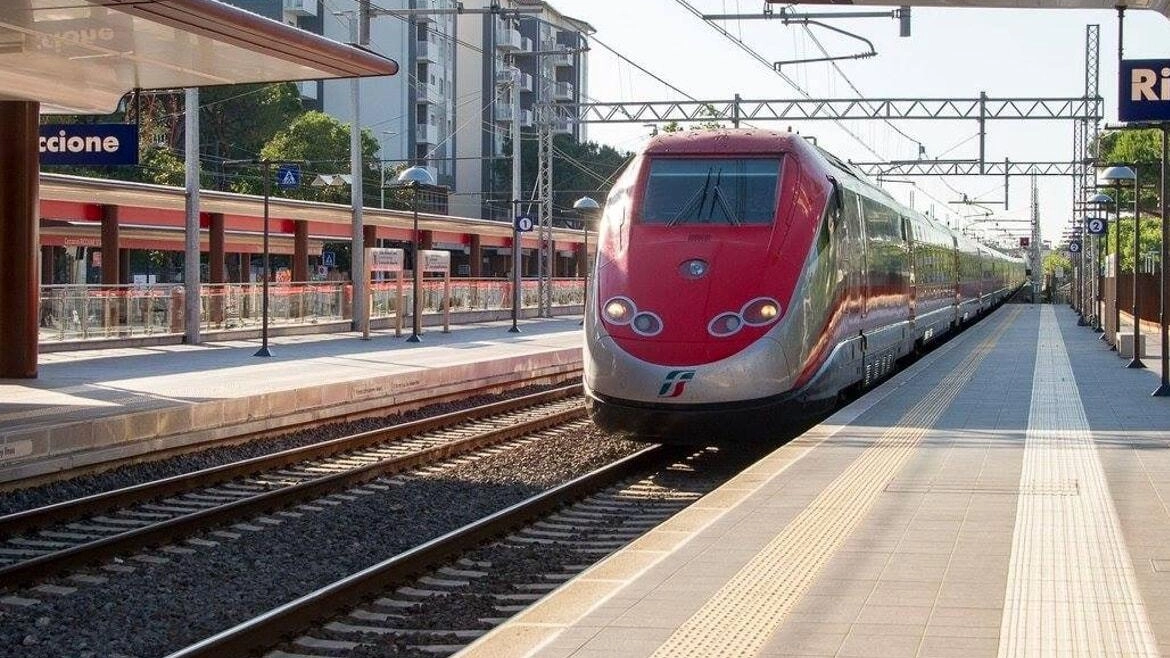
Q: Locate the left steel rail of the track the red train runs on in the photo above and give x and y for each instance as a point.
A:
(281, 623)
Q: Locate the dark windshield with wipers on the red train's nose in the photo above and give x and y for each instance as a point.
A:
(735, 191)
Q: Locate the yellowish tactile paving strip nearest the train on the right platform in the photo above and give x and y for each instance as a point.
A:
(740, 619)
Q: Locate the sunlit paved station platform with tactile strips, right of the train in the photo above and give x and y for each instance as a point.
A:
(1006, 496)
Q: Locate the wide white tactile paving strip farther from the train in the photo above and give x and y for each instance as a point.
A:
(1071, 587)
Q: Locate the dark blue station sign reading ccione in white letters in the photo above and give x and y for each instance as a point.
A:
(90, 145)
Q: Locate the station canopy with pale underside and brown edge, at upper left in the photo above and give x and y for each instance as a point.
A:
(84, 57)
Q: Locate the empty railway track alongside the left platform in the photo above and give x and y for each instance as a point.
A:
(40, 543)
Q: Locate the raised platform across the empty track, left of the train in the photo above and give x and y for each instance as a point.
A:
(92, 407)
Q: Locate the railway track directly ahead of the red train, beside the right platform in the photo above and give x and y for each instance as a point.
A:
(477, 577)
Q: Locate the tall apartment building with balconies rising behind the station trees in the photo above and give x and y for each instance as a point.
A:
(452, 104)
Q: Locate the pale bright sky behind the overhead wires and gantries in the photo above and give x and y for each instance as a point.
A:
(952, 53)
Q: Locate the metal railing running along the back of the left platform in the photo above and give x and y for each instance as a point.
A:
(82, 312)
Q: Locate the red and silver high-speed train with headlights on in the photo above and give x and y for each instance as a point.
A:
(747, 278)
